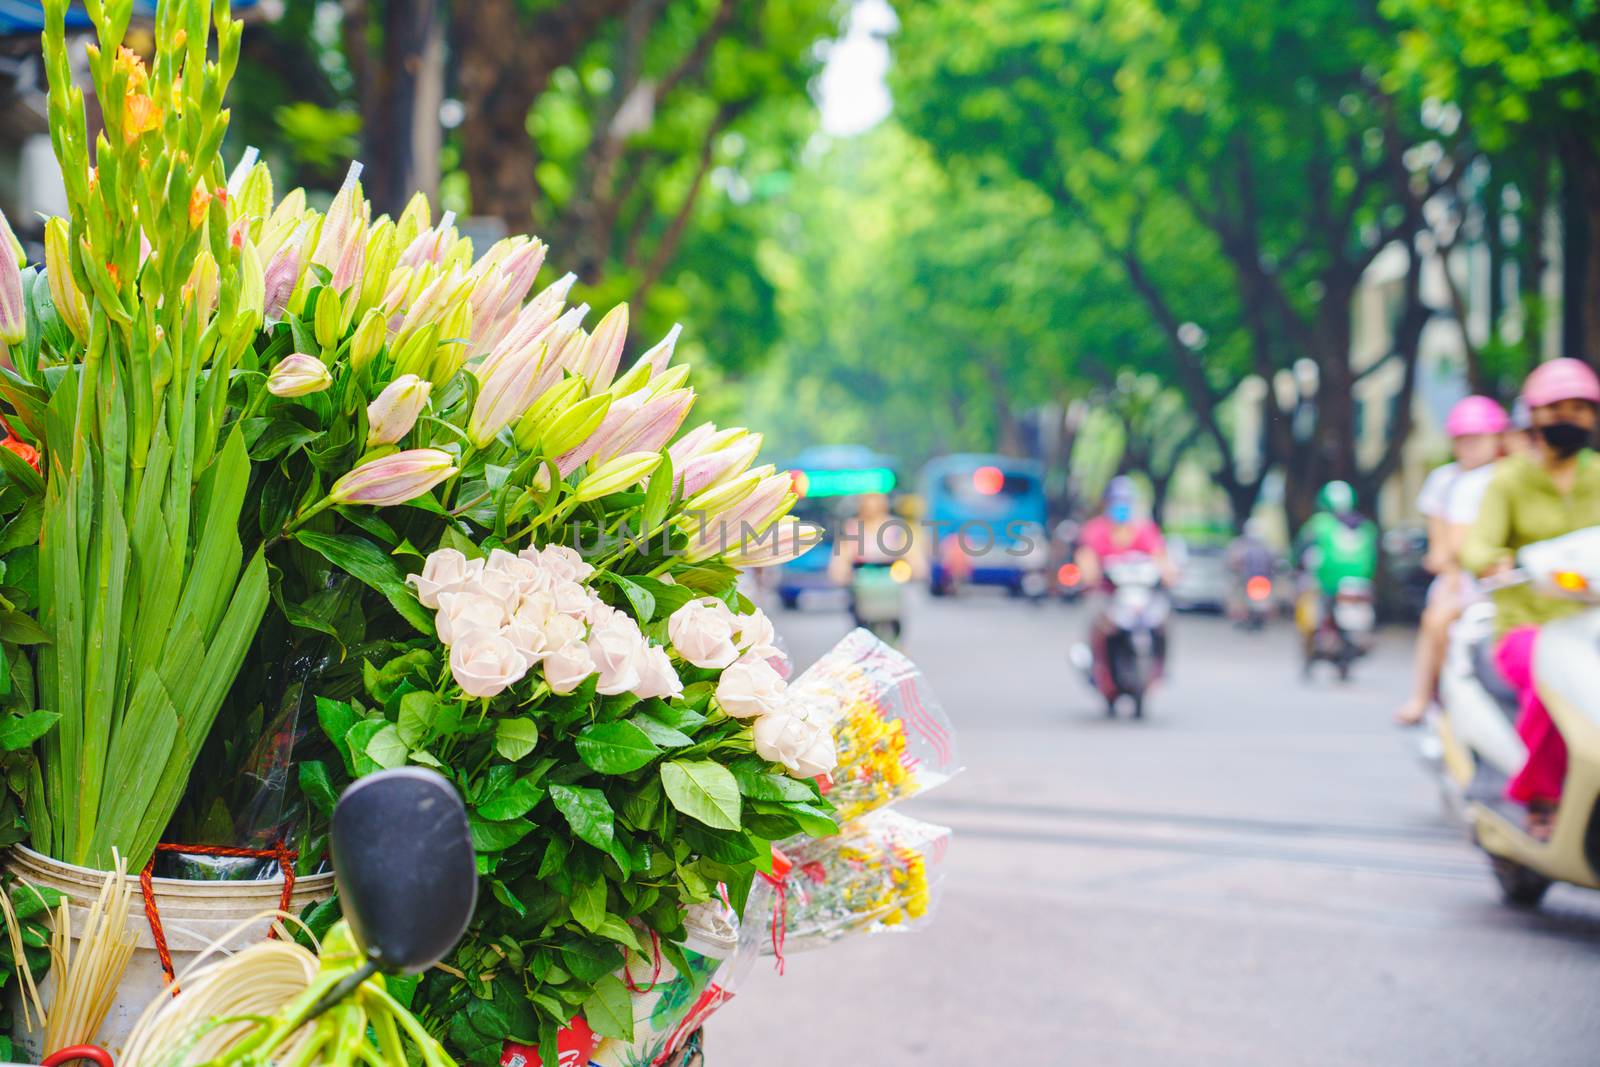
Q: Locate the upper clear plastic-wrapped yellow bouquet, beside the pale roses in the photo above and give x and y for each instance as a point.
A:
(894, 737)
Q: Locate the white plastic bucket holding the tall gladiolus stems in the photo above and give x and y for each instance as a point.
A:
(194, 916)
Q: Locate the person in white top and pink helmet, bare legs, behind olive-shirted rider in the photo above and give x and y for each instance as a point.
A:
(1476, 426)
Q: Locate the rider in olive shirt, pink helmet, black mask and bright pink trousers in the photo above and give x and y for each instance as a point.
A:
(1548, 494)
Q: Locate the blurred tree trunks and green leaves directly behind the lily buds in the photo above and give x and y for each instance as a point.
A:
(644, 140)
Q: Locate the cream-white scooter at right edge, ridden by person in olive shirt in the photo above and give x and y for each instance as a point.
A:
(1474, 746)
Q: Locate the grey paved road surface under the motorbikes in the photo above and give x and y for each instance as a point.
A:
(1257, 874)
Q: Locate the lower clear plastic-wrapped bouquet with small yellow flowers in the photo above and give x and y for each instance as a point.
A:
(881, 873)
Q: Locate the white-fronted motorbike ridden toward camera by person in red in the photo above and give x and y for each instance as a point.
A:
(1135, 623)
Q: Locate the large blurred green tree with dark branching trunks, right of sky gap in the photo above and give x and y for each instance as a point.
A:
(1257, 122)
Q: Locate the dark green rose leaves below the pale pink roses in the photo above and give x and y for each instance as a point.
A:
(596, 820)
